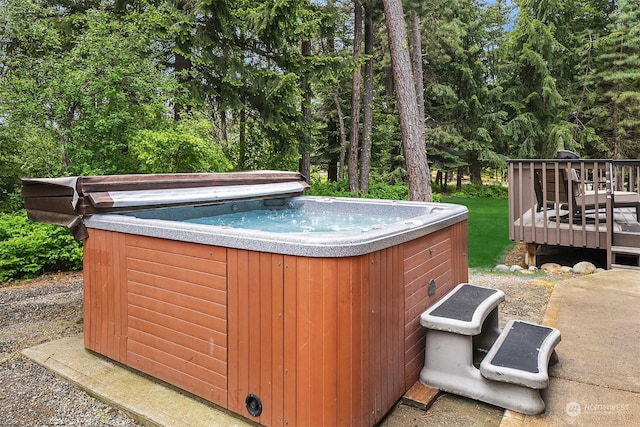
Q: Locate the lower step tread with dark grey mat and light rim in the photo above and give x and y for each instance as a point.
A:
(521, 354)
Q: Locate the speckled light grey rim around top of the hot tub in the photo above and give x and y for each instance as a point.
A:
(335, 244)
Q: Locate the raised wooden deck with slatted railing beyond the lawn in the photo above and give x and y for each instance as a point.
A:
(577, 203)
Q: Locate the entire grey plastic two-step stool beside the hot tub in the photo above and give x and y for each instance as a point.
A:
(463, 327)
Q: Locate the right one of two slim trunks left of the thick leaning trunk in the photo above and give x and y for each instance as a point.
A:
(367, 114)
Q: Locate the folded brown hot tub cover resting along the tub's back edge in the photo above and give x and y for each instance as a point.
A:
(65, 201)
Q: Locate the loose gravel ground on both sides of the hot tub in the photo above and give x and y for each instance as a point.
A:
(50, 307)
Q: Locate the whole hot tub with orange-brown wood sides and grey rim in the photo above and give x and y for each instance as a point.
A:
(285, 328)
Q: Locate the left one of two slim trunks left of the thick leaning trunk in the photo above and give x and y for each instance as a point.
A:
(355, 98)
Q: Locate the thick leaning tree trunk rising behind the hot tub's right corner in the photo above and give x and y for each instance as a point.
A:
(411, 126)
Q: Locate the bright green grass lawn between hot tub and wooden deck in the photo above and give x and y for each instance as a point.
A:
(488, 230)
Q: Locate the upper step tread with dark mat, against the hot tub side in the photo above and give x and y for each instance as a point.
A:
(463, 310)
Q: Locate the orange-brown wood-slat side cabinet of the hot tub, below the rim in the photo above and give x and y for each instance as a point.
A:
(320, 341)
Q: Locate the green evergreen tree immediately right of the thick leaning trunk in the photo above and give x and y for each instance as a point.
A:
(465, 123)
